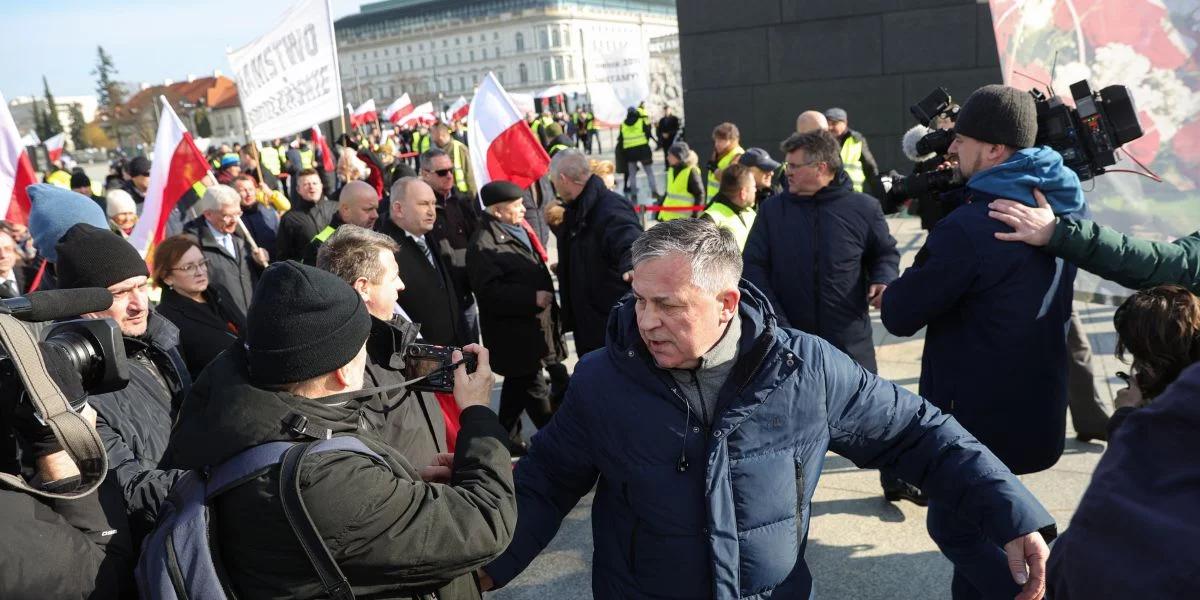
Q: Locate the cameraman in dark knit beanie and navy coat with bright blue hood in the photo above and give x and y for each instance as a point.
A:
(997, 315)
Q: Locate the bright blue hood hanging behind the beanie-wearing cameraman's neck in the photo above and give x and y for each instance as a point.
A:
(1034, 167)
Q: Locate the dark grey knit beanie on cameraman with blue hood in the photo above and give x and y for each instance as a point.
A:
(999, 115)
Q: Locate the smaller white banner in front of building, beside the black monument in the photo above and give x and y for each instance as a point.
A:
(619, 79)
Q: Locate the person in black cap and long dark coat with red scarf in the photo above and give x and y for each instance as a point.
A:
(518, 313)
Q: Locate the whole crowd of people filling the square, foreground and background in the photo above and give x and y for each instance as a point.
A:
(723, 350)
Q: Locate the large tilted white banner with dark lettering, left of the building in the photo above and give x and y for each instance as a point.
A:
(287, 80)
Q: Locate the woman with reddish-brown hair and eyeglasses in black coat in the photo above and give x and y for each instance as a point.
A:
(207, 317)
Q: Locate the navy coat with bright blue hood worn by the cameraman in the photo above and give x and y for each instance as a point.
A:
(997, 346)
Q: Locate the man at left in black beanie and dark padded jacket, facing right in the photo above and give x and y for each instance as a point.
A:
(134, 423)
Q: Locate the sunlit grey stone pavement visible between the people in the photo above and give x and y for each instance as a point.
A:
(860, 545)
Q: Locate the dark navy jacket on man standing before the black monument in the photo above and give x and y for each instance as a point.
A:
(815, 256)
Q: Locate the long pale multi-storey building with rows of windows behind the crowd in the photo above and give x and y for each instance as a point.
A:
(440, 50)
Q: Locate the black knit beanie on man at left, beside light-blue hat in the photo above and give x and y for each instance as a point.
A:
(91, 257)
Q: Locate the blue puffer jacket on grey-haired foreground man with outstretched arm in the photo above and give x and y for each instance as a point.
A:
(733, 523)
